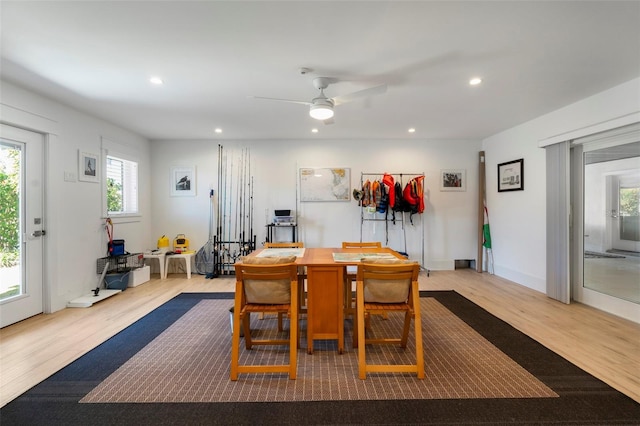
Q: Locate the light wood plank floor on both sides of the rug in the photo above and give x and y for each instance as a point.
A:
(606, 346)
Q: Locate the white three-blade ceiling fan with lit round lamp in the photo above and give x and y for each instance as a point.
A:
(321, 107)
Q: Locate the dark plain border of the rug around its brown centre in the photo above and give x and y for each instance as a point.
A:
(582, 399)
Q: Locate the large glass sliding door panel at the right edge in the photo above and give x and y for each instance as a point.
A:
(612, 221)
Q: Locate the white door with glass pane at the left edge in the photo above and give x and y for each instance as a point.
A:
(21, 235)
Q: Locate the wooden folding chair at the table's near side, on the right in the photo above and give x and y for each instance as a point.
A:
(388, 287)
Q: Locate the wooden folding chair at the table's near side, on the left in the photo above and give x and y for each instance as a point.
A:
(265, 288)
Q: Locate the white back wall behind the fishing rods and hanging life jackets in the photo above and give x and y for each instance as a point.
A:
(449, 230)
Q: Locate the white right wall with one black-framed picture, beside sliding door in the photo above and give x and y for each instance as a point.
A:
(518, 223)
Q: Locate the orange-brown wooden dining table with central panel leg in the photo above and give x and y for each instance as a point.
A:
(325, 287)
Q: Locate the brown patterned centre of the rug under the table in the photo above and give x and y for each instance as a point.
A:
(189, 362)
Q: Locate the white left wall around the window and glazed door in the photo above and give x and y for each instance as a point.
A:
(73, 216)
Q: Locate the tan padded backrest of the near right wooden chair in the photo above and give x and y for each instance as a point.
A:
(387, 282)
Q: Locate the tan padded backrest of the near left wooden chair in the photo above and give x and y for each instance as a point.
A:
(267, 284)
